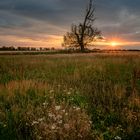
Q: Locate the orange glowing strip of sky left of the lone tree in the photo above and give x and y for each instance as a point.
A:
(45, 41)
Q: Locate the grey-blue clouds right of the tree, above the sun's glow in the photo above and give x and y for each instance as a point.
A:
(119, 17)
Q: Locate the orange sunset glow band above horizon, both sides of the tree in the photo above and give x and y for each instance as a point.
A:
(56, 42)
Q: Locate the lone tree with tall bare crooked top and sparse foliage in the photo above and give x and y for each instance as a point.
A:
(83, 34)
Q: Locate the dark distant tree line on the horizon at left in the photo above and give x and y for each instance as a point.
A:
(12, 48)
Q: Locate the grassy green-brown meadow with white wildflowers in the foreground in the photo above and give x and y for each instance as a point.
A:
(70, 97)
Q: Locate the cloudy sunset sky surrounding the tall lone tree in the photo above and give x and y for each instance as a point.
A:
(42, 23)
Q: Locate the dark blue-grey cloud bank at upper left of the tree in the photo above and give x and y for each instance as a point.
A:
(54, 11)
